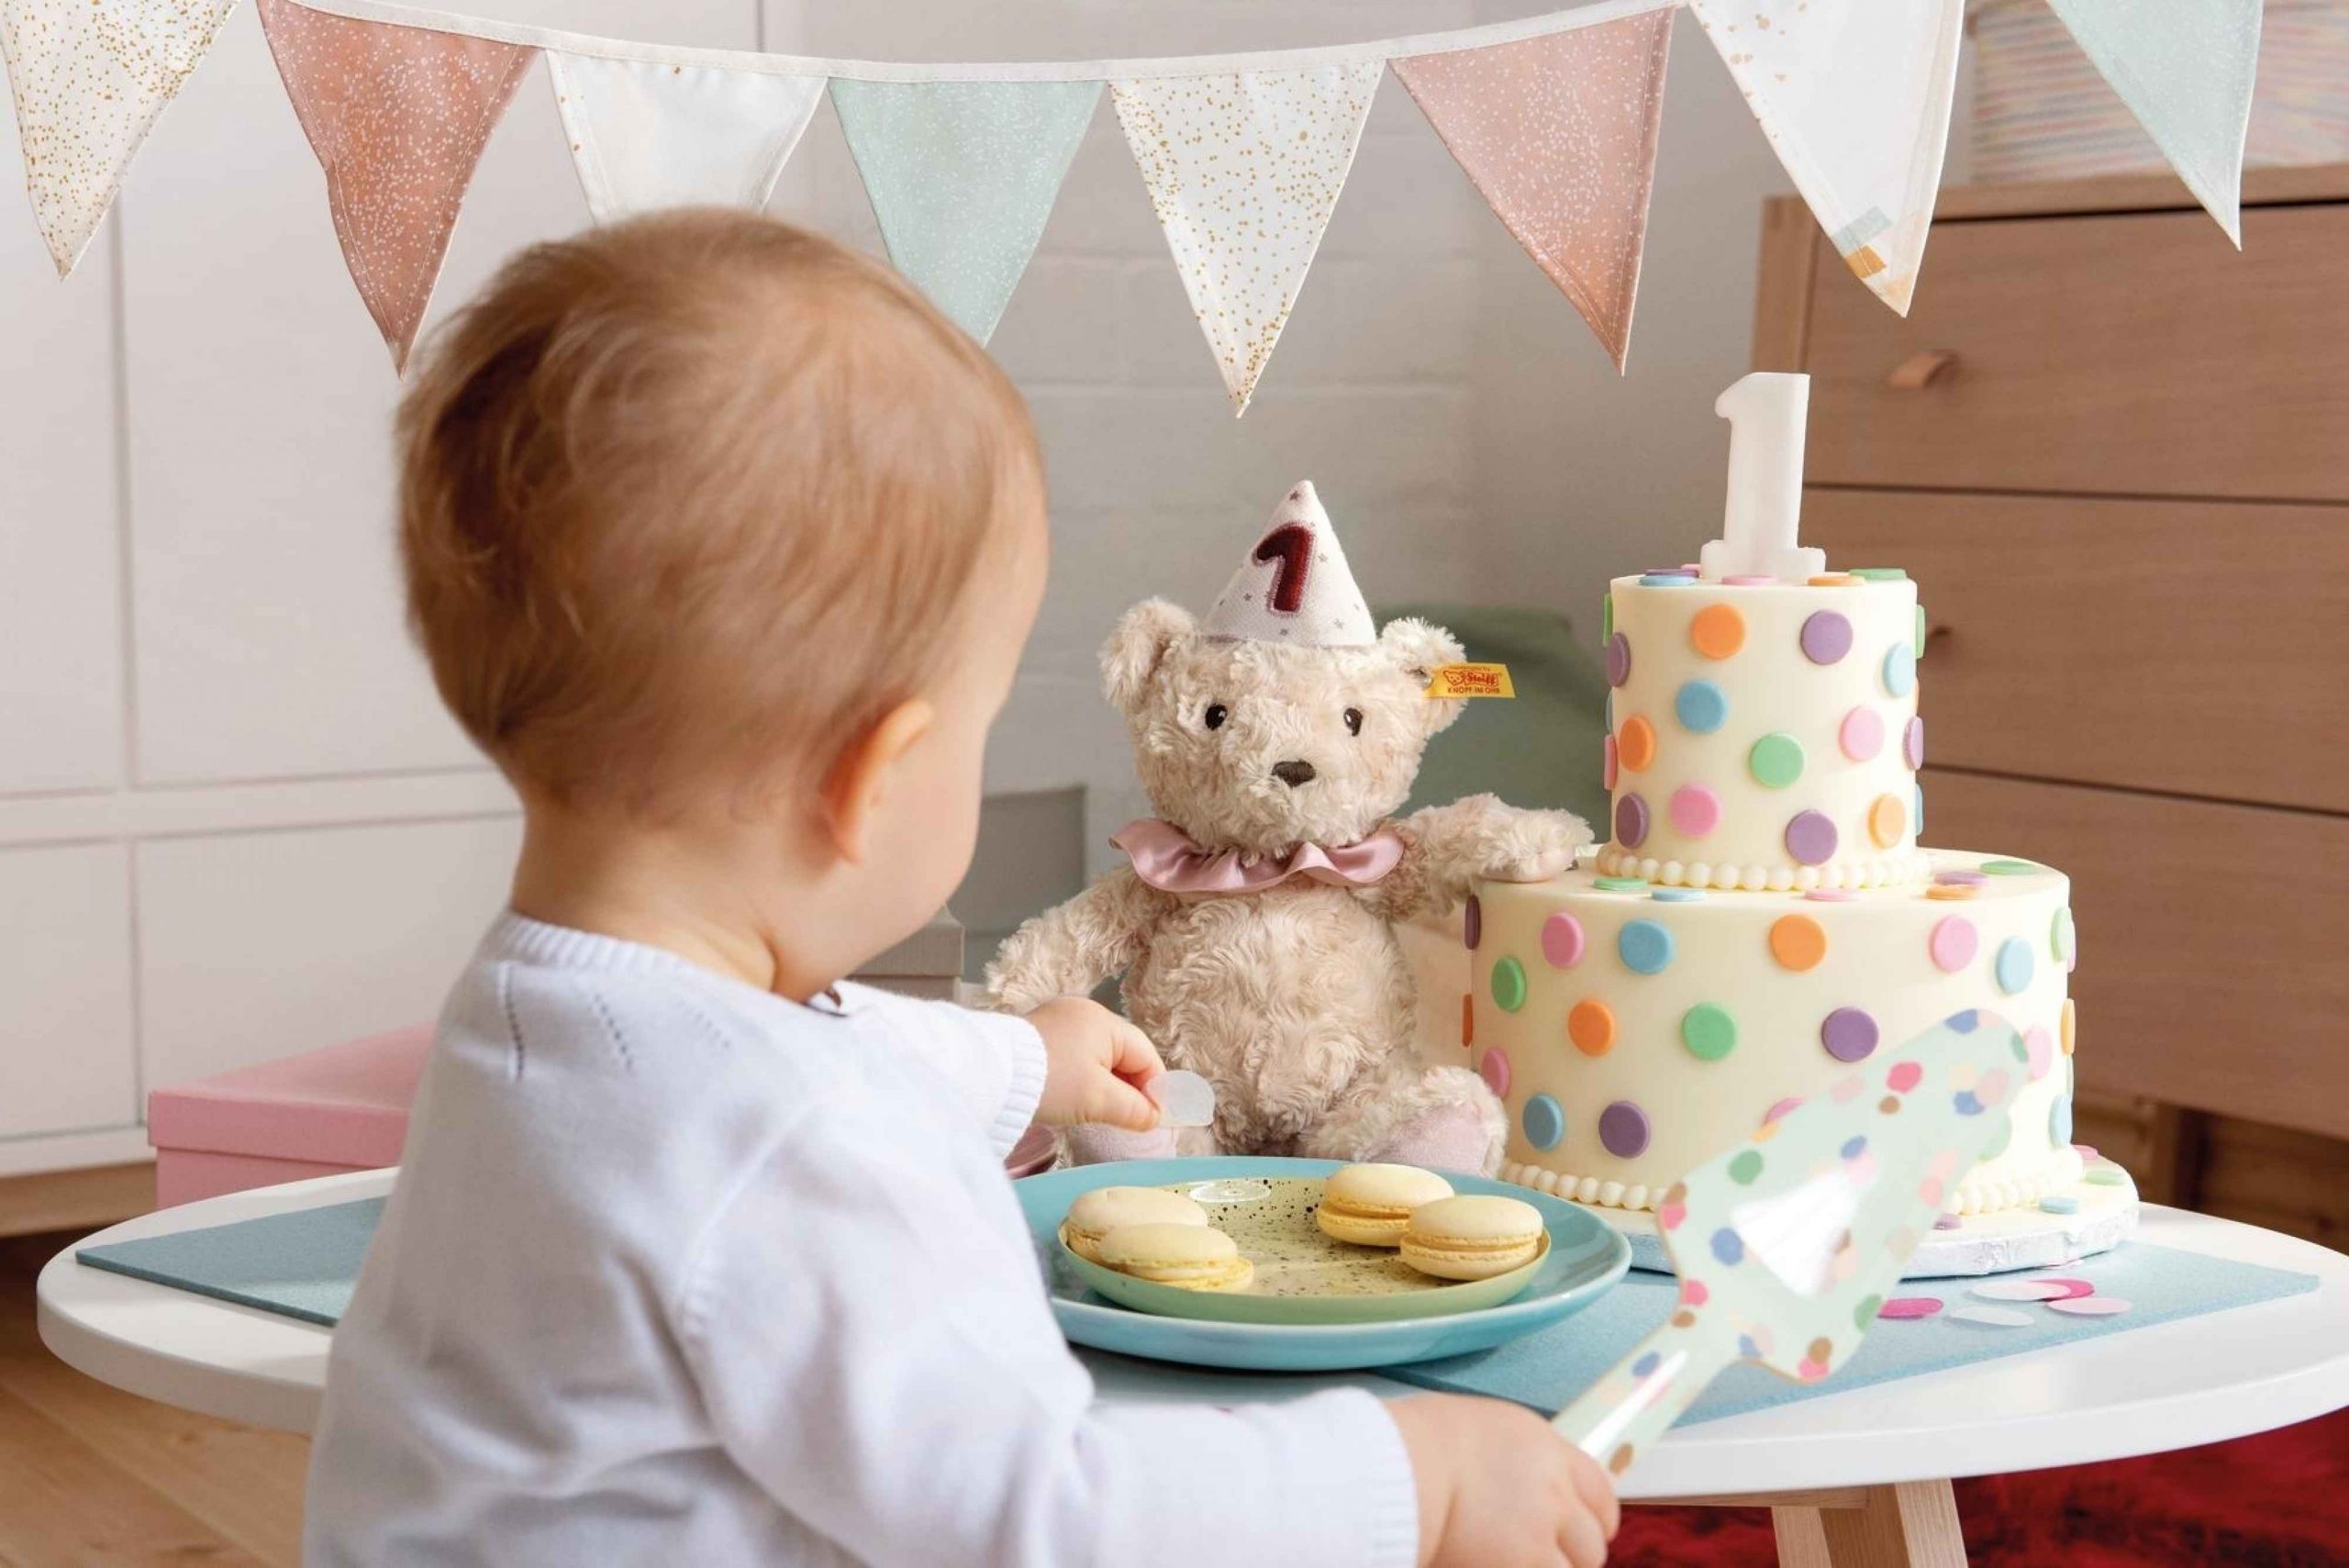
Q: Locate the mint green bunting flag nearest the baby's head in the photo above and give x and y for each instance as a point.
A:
(964, 177)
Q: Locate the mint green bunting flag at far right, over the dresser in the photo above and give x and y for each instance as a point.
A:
(2186, 72)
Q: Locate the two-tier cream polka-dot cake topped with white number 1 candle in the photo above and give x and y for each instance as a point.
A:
(1763, 919)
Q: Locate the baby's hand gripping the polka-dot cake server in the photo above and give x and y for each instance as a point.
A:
(1502, 1489)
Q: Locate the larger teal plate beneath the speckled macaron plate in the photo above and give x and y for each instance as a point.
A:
(1584, 1262)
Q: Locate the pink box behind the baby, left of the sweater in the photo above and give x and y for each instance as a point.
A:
(335, 1109)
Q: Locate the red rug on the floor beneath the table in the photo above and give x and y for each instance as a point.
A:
(2273, 1501)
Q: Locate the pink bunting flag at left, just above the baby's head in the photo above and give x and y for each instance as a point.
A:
(398, 119)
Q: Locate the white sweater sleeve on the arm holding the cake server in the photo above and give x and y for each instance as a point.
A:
(877, 1356)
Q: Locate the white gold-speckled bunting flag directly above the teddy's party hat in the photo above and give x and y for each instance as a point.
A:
(1246, 173)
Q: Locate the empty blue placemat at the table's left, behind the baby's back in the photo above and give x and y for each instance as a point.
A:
(297, 1264)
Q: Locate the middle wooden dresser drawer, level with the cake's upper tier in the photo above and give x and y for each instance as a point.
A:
(2155, 644)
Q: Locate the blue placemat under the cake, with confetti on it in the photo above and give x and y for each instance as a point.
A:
(2160, 1283)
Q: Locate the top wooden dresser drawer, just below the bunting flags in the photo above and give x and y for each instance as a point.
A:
(2118, 353)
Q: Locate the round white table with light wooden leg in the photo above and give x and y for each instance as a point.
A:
(1857, 1478)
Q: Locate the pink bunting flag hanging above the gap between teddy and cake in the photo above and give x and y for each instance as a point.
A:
(1561, 137)
